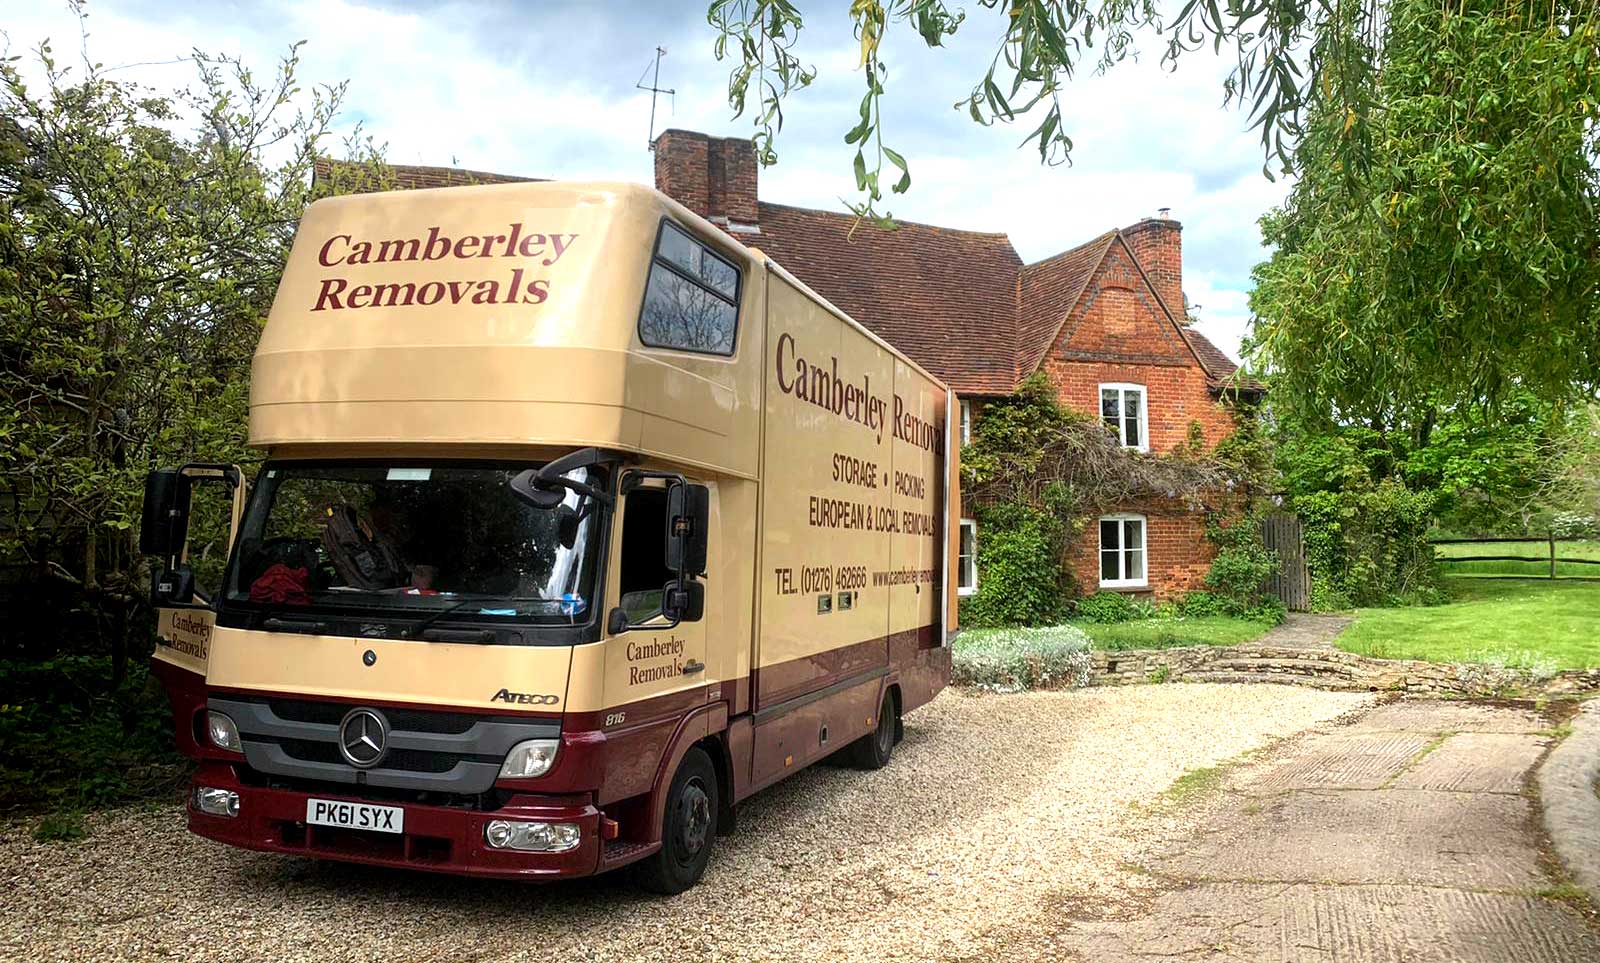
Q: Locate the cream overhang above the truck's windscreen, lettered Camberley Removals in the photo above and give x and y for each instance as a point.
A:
(566, 374)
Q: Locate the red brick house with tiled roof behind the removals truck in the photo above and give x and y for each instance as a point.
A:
(1105, 321)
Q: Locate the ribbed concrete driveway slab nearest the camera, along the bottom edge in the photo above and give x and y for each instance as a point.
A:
(1324, 924)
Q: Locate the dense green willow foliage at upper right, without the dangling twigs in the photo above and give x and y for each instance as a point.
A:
(1460, 268)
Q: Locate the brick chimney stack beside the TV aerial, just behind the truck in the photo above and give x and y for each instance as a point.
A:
(711, 177)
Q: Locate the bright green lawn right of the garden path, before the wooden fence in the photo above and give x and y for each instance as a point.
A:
(1534, 623)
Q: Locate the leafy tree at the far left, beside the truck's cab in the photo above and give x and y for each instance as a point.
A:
(142, 241)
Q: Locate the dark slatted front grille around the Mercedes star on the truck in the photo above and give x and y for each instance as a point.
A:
(431, 753)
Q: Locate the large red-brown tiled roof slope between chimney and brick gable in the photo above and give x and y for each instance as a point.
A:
(946, 298)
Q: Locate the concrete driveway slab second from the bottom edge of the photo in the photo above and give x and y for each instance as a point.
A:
(1431, 839)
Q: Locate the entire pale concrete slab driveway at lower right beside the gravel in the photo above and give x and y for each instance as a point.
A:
(1404, 836)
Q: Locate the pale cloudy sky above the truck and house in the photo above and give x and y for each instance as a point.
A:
(548, 89)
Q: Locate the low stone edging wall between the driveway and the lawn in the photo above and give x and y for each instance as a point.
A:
(1327, 669)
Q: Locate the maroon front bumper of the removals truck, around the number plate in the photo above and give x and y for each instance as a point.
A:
(436, 839)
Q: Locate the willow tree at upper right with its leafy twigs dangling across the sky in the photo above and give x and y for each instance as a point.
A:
(1441, 246)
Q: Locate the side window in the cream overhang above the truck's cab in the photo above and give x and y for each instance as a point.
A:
(692, 302)
